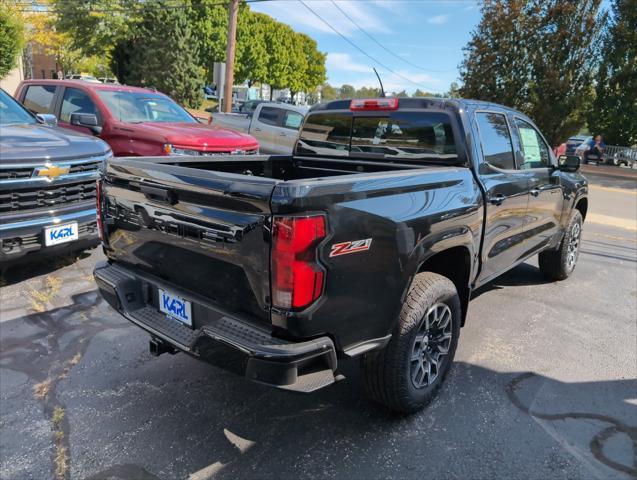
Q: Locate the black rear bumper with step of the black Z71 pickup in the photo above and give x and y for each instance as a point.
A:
(299, 366)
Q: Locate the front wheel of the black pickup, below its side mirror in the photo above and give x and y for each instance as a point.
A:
(559, 264)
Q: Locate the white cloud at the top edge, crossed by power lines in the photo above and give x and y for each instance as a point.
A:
(300, 18)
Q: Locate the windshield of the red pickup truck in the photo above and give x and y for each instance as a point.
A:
(136, 107)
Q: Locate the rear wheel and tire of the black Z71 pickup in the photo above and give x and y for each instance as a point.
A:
(406, 375)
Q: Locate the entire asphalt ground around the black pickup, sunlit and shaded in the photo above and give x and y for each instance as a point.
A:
(544, 386)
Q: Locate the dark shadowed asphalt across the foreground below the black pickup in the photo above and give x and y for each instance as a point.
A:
(128, 415)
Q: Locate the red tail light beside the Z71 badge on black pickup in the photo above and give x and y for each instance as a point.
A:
(297, 278)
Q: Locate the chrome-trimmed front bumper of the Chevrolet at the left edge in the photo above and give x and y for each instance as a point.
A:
(22, 237)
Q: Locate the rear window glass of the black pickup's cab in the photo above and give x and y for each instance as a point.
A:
(401, 134)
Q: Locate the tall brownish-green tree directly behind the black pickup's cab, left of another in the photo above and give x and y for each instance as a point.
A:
(537, 56)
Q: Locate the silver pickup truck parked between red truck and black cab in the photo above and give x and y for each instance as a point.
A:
(274, 125)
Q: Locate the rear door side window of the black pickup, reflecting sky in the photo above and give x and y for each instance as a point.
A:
(496, 140)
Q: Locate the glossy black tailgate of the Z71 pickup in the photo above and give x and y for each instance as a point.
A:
(212, 241)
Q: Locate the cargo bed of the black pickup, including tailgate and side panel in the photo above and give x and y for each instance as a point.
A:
(204, 225)
